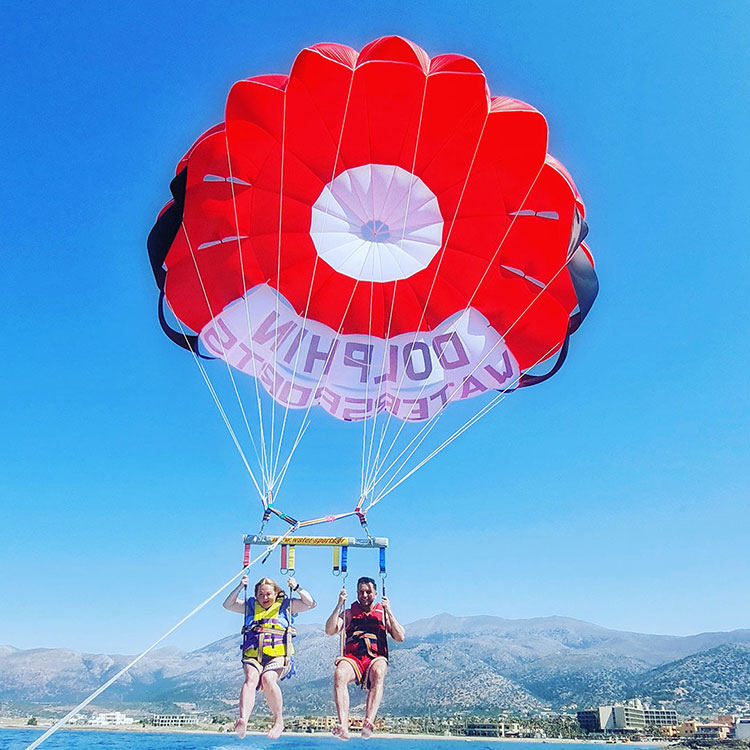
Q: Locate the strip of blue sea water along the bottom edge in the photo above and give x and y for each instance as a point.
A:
(18, 739)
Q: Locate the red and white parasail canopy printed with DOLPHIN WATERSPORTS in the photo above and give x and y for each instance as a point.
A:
(376, 235)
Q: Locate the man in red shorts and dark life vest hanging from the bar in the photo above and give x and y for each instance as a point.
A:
(364, 658)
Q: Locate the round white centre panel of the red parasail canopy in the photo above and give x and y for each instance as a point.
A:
(377, 222)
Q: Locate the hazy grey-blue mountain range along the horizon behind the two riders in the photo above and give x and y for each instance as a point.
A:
(475, 664)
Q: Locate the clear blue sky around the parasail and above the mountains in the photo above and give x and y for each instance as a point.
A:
(616, 493)
